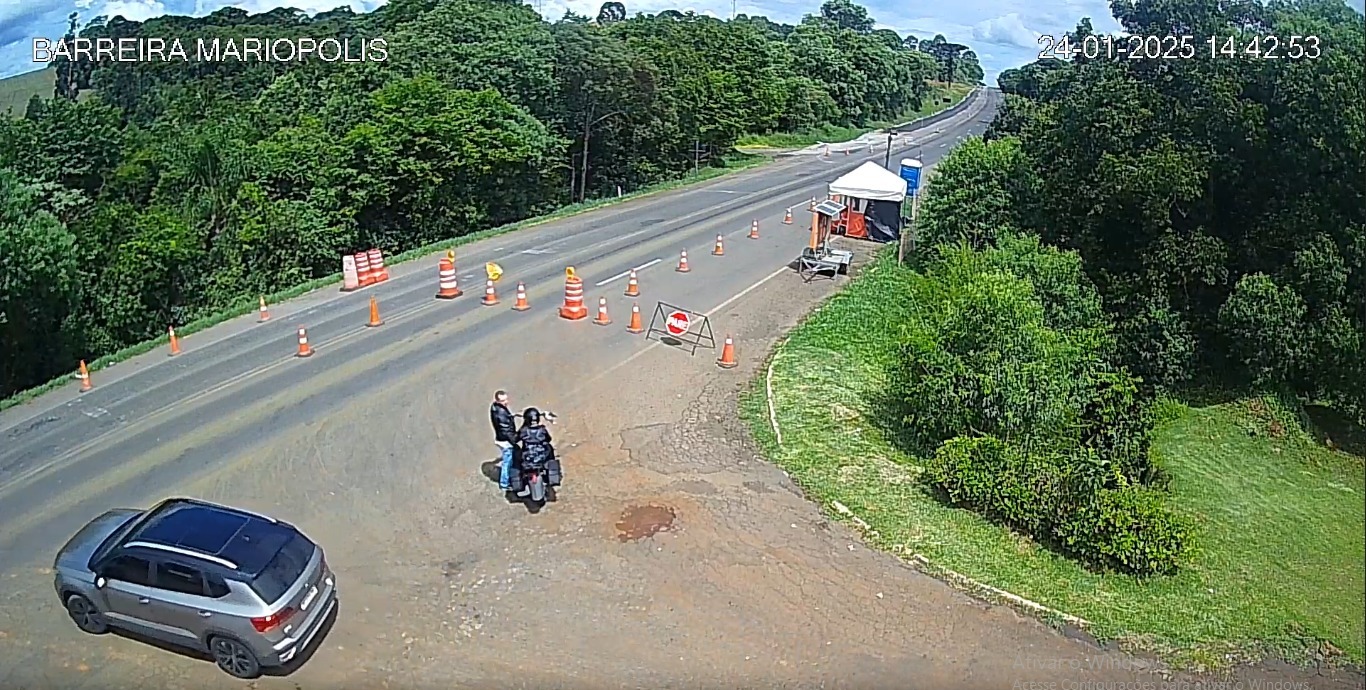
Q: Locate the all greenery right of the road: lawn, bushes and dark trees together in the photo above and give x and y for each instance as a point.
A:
(1029, 402)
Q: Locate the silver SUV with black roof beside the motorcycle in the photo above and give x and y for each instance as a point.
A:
(249, 590)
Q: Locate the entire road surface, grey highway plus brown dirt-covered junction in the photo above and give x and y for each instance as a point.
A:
(378, 447)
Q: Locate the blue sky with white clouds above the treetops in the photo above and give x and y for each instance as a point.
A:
(1005, 33)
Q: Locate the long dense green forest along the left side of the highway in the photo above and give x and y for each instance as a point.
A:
(150, 195)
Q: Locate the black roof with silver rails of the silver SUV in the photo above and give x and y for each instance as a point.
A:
(237, 539)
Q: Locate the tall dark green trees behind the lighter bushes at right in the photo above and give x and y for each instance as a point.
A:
(1219, 203)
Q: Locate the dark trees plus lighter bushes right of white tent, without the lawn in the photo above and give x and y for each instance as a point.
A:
(1136, 229)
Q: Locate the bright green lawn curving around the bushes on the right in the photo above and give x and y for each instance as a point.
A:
(1279, 565)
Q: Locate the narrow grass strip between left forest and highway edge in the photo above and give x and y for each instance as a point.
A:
(249, 304)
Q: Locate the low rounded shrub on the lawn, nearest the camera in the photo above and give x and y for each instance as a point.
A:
(1129, 529)
